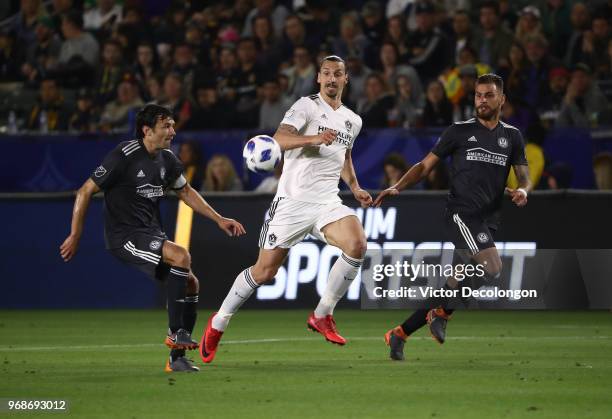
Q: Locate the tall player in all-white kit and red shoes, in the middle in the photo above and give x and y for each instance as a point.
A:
(317, 135)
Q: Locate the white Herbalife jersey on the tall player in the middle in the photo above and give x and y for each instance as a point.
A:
(312, 173)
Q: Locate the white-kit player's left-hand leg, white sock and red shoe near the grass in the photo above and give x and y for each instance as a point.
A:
(245, 284)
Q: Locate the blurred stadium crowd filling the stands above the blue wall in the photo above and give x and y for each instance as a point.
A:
(87, 65)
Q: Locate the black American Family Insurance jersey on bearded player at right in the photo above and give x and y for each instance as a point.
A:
(480, 163)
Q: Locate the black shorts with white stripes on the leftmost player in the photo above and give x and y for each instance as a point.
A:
(144, 252)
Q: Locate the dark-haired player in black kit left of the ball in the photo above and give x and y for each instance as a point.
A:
(134, 176)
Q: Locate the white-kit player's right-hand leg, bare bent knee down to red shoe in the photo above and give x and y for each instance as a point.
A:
(348, 235)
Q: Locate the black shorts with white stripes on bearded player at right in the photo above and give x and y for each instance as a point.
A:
(470, 232)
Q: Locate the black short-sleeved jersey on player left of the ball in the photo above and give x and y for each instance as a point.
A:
(133, 181)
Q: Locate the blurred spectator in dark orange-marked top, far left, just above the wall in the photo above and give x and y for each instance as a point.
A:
(50, 113)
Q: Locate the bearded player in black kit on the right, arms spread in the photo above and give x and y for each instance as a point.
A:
(482, 149)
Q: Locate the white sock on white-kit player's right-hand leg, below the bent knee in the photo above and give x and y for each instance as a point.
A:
(340, 278)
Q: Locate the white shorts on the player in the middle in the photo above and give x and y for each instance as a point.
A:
(288, 221)
